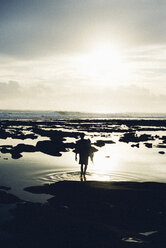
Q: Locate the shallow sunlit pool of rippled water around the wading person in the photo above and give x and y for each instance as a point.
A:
(113, 162)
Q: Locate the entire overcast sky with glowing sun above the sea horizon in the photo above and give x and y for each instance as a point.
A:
(83, 55)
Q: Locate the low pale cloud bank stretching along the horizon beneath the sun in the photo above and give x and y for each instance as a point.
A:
(81, 98)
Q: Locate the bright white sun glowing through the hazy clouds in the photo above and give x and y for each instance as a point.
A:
(104, 64)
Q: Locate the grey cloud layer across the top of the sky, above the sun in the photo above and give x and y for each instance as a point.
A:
(36, 28)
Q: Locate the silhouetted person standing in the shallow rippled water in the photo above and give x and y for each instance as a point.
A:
(83, 147)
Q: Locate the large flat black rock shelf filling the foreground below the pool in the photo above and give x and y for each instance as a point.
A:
(91, 214)
